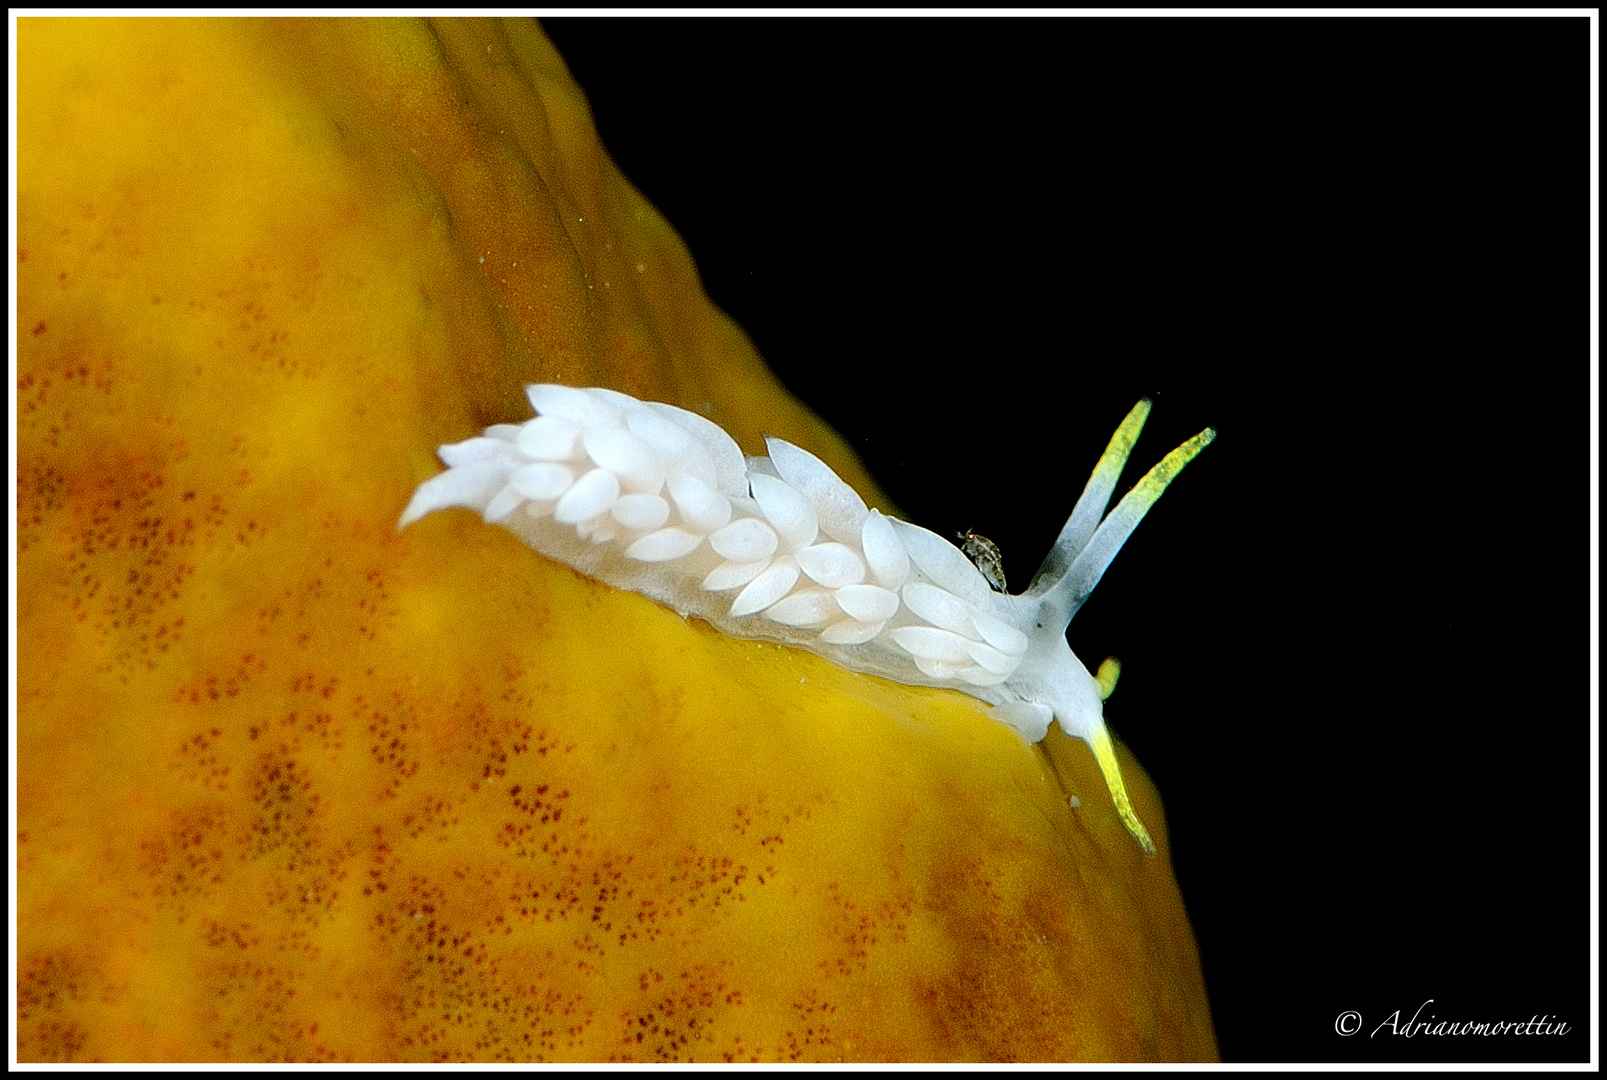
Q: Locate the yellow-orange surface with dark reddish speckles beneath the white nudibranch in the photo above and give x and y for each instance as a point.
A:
(293, 787)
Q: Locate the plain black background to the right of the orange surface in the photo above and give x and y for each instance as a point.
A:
(1356, 632)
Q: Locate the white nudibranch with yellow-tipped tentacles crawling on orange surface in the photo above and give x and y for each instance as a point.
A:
(661, 502)
